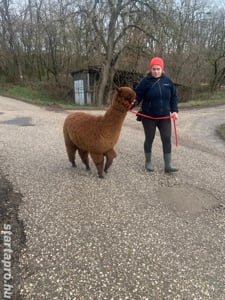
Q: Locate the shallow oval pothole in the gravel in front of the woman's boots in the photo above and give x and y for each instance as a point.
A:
(187, 199)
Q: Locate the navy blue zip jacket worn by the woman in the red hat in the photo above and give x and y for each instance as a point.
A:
(158, 96)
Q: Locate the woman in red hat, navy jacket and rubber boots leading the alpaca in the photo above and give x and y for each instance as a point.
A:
(158, 96)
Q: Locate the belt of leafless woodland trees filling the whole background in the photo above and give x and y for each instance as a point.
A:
(45, 39)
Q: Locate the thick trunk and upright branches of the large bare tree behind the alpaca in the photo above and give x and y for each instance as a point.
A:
(110, 20)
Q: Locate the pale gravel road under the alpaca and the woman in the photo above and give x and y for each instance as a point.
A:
(133, 235)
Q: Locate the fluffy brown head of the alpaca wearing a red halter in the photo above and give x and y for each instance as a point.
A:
(123, 98)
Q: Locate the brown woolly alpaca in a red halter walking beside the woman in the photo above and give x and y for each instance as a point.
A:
(97, 135)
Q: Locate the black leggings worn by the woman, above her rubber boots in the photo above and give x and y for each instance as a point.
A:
(164, 127)
